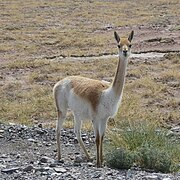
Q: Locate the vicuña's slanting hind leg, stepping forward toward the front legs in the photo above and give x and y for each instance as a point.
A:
(77, 129)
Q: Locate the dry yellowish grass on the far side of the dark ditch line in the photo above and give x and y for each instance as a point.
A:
(32, 29)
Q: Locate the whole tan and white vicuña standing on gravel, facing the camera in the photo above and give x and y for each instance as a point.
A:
(92, 99)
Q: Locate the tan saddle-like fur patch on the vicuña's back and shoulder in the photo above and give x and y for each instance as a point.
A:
(88, 89)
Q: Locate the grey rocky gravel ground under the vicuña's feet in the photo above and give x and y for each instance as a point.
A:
(29, 153)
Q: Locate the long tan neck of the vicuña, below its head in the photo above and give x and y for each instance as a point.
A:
(119, 79)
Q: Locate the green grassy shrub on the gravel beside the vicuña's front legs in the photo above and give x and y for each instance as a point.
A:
(144, 144)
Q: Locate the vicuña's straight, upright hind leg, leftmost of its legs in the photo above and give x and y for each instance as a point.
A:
(61, 117)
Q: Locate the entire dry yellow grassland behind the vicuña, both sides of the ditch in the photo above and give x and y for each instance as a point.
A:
(33, 33)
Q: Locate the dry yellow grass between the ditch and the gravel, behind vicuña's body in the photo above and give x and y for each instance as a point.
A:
(151, 91)
